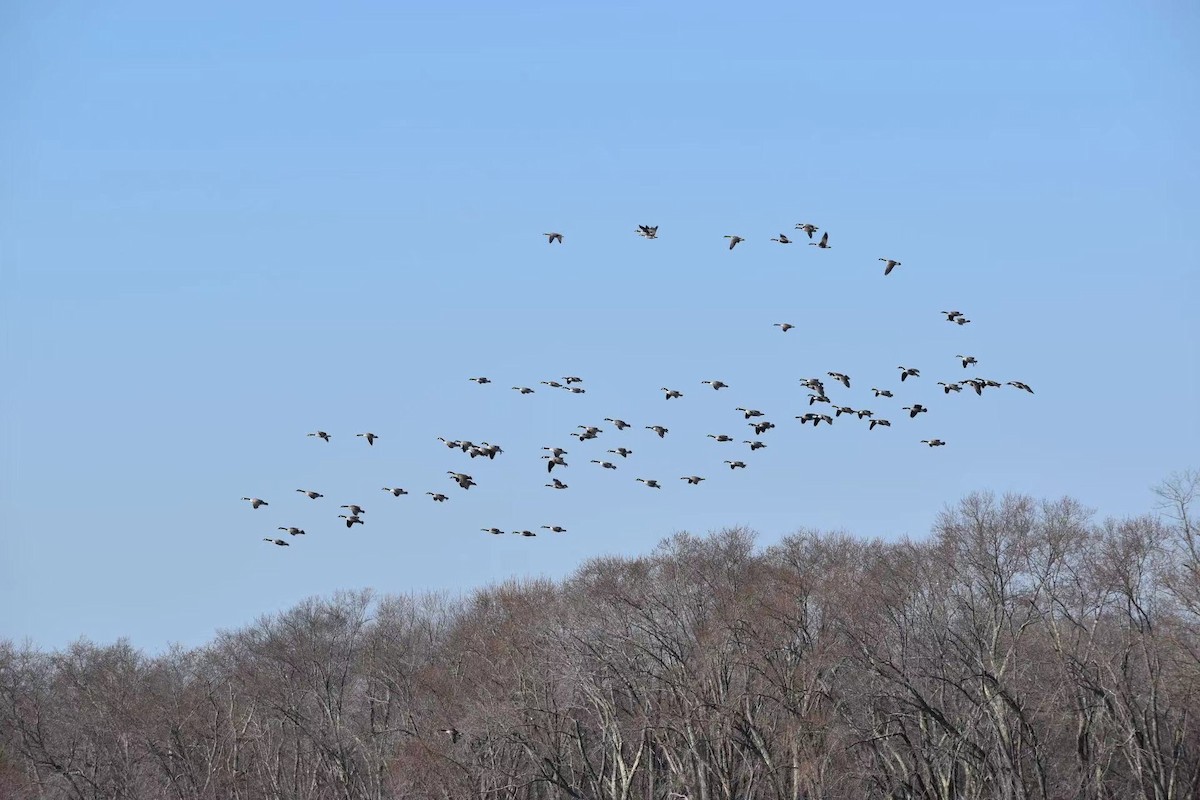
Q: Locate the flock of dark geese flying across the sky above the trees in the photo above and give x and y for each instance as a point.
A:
(556, 456)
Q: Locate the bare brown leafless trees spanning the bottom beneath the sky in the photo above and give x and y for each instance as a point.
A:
(1024, 651)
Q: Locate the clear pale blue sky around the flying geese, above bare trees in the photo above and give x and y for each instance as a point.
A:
(224, 227)
